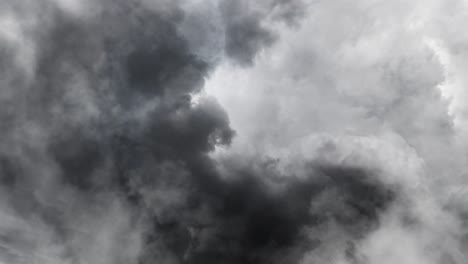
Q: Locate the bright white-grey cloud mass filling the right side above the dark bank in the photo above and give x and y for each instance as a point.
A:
(383, 83)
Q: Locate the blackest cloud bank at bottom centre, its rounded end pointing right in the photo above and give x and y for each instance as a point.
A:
(258, 217)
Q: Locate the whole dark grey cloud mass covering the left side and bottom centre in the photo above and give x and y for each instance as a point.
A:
(113, 116)
